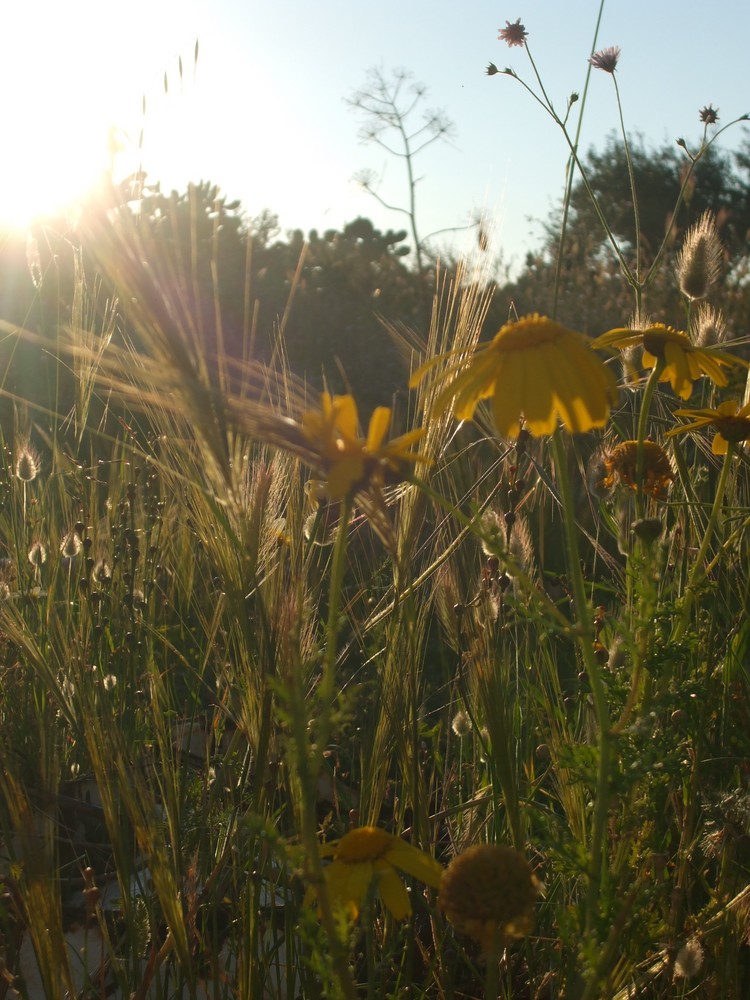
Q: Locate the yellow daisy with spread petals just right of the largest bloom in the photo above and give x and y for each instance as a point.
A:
(683, 361)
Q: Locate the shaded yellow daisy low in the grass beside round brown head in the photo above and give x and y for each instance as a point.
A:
(366, 855)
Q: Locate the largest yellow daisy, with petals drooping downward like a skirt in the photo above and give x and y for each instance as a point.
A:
(537, 372)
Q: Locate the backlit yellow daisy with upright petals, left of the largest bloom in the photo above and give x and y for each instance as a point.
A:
(348, 462)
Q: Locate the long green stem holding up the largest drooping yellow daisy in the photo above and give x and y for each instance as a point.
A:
(584, 633)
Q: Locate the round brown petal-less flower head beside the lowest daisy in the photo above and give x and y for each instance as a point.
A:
(488, 892)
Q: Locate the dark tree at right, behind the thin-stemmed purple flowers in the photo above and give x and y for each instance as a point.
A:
(593, 295)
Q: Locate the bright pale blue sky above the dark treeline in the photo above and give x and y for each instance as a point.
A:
(262, 112)
